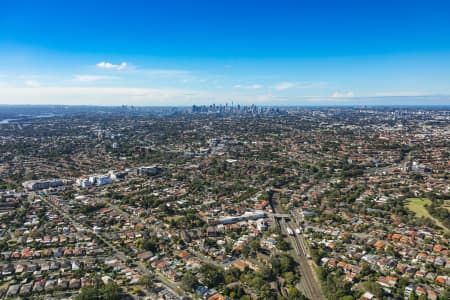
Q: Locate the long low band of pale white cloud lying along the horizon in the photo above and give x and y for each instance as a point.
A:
(110, 96)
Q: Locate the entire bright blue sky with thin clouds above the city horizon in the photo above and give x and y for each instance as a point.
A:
(250, 52)
